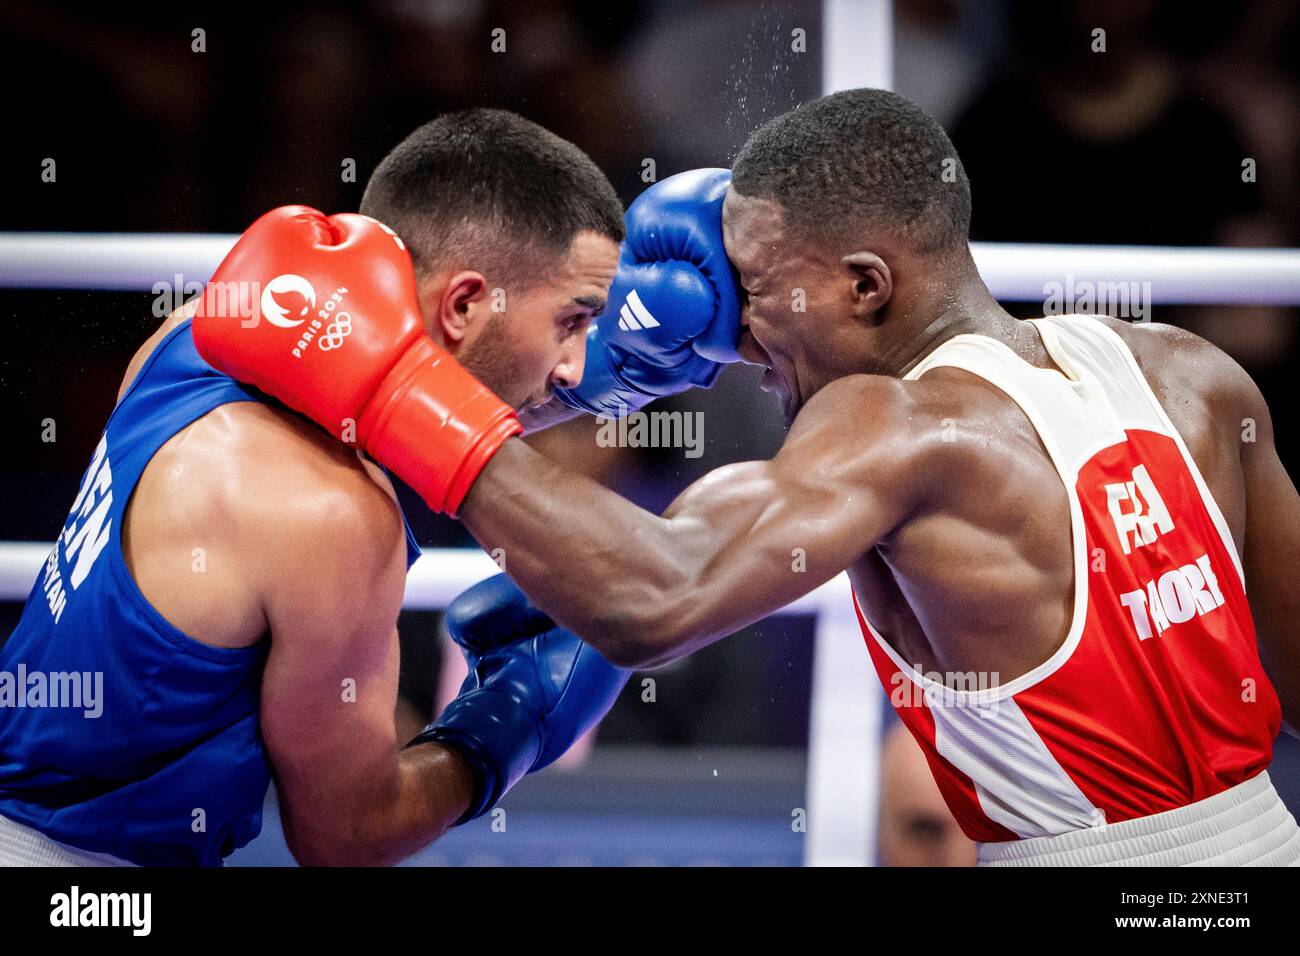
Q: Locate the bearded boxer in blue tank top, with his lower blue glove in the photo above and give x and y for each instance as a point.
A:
(220, 607)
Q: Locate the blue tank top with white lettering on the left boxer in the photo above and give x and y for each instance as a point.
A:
(172, 769)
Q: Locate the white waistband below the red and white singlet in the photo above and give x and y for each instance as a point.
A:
(1247, 825)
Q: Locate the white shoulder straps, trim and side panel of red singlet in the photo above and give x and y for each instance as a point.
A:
(1098, 396)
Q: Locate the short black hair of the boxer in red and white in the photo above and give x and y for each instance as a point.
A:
(860, 162)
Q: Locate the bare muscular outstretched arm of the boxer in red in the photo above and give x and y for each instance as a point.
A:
(738, 546)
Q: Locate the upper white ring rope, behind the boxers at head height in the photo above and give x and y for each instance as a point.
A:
(1015, 271)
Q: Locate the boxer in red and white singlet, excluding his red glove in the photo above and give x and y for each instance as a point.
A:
(1067, 509)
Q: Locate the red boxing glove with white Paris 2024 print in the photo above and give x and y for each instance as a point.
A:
(322, 314)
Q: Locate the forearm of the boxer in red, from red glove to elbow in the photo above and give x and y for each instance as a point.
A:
(592, 560)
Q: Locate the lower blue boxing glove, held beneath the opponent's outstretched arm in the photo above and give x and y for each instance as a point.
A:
(534, 689)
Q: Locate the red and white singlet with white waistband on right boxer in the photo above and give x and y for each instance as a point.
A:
(1156, 710)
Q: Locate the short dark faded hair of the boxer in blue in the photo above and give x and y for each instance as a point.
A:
(489, 191)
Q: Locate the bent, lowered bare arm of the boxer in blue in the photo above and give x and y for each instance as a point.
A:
(349, 795)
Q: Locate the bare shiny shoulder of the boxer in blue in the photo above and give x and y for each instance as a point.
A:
(283, 514)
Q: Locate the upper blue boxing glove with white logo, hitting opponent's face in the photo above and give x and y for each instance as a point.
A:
(674, 314)
